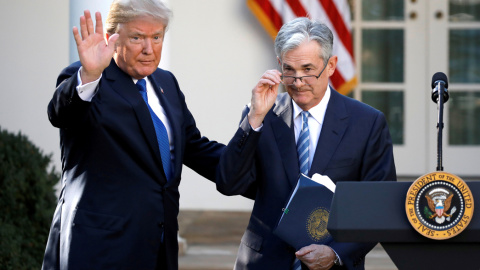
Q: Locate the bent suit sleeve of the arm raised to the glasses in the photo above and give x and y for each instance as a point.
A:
(236, 174)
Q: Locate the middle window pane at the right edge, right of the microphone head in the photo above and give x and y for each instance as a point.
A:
(464, 56)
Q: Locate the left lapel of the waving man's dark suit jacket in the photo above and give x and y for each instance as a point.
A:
(123, 84)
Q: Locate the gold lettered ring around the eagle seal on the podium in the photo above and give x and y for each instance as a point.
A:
(429, 178)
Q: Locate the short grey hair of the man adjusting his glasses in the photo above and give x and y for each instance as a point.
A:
(301, 30)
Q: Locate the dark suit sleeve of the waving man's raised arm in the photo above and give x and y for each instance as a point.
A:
(66, 108)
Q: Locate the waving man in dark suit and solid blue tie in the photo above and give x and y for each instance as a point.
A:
(125, 132)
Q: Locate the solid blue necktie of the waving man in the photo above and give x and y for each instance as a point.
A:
(160, 130)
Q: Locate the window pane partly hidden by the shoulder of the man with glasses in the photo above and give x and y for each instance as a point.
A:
(391, 104)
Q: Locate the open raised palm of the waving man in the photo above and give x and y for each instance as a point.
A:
(94, 52)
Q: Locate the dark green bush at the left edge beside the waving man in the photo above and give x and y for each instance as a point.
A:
(27, 202)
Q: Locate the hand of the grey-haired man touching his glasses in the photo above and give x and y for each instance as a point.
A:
(263, 97)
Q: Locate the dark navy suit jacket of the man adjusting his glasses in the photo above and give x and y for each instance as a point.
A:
(354, 145)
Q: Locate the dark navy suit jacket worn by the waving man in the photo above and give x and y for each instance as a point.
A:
(116, 204)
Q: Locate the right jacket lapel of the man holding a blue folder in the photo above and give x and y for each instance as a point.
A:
(334, 126)
